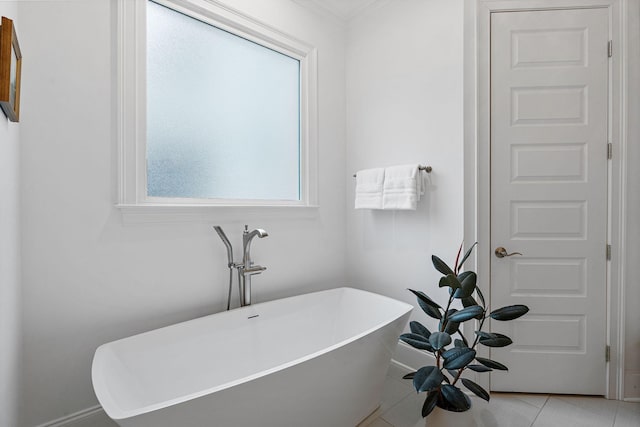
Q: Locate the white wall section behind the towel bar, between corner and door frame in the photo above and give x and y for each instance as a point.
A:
(404, 105)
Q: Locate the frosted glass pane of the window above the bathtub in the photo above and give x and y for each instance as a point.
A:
(223, 113)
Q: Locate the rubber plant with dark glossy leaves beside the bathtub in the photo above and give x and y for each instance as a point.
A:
(441, 381)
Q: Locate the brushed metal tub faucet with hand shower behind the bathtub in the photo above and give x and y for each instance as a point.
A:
(246, 268)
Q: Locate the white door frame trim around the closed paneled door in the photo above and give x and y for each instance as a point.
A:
(477, 14)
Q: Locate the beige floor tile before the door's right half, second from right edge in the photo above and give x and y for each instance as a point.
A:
(577, 410)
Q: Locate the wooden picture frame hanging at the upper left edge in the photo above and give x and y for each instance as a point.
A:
(10, 70)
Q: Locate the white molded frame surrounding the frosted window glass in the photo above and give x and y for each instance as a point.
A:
(131, 105)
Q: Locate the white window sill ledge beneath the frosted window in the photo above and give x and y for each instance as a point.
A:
(155, 213)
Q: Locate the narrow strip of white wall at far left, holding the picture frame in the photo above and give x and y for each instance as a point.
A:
(9, 256)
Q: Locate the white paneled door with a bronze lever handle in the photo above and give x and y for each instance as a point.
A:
(549, 104)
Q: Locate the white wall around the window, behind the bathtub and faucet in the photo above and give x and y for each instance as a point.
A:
(88, 278)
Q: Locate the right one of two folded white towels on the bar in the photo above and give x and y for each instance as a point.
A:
(403, 186)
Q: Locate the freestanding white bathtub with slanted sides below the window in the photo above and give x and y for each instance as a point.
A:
(315, 360)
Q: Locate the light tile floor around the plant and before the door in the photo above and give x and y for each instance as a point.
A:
(401, 407)
